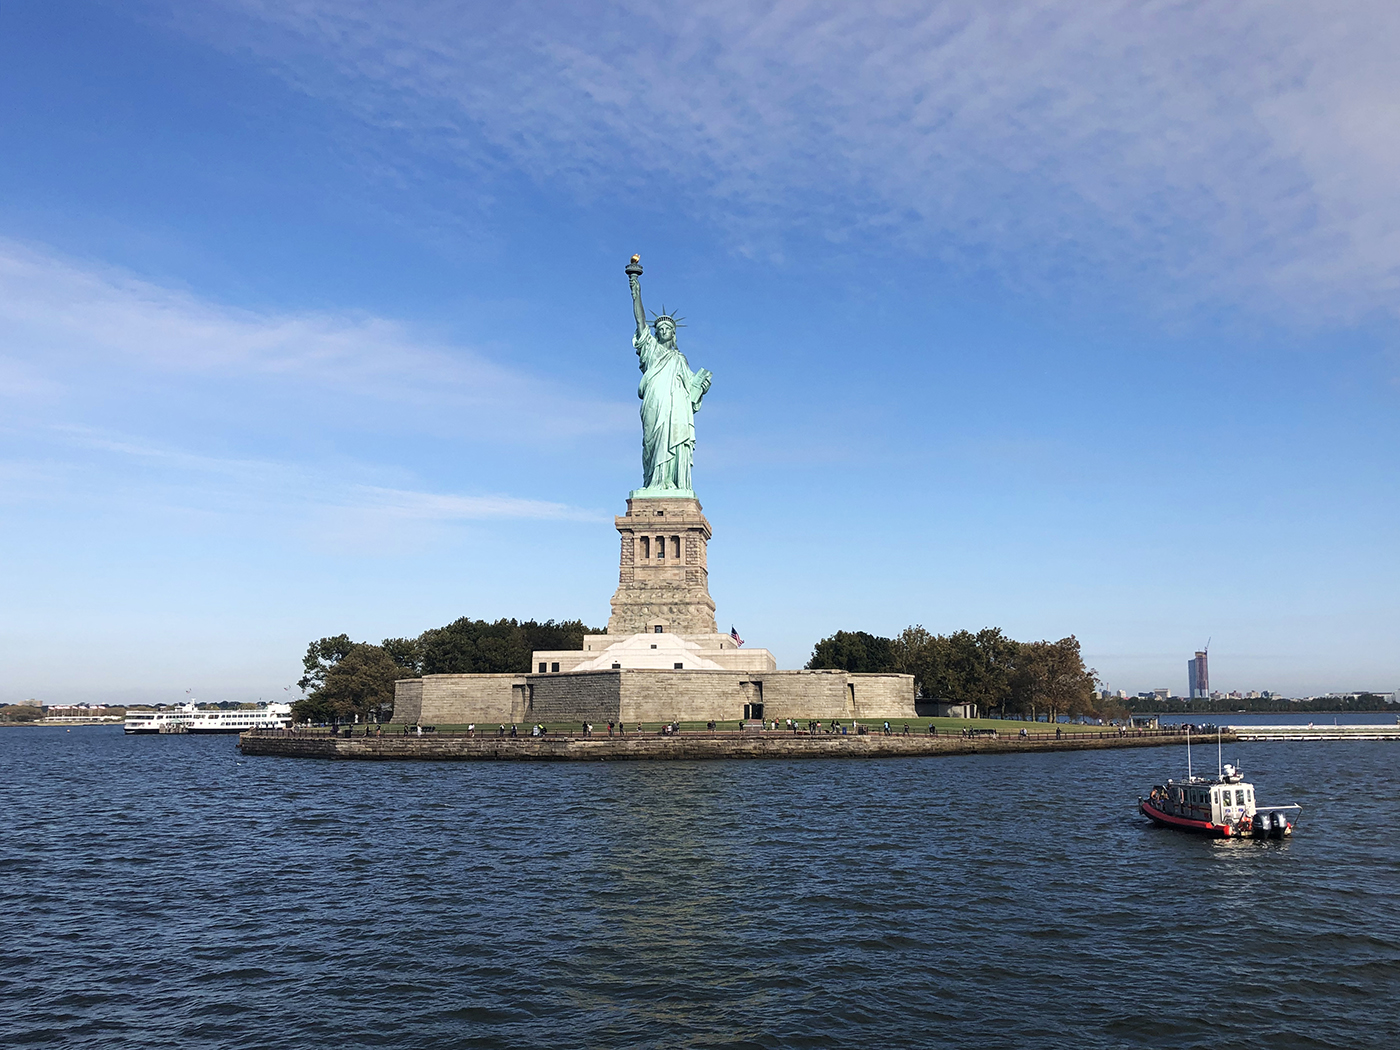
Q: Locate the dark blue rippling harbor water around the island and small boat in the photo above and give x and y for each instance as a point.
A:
(169, 892)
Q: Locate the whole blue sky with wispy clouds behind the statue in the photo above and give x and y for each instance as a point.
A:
(313, 320)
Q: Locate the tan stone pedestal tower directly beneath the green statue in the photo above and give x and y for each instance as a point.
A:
(664, 577)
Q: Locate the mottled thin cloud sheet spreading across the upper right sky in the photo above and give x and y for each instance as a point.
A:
(1221, 152)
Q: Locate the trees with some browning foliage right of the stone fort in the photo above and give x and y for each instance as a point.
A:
(1003, 677)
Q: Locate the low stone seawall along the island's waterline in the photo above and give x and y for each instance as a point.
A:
(681, 747)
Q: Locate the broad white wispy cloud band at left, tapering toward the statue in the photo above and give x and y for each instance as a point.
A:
(59, 321)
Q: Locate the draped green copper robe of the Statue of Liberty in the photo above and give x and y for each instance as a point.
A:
(670, 400)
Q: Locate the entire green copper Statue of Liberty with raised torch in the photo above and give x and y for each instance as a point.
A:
(671, 397)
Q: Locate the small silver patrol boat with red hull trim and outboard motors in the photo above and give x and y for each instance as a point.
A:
(1223, 807)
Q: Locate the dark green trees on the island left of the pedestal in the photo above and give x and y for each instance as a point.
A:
(345, 678)
